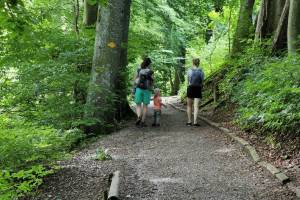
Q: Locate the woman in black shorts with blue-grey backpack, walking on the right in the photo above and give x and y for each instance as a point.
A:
(194, 91)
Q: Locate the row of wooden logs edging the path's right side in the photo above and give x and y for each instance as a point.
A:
(251, 152)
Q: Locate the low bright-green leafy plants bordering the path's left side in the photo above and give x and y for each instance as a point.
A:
(26, 152)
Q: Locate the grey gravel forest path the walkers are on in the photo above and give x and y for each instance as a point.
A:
(172, 162)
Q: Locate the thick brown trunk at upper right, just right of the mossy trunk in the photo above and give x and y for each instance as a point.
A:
(269, 17)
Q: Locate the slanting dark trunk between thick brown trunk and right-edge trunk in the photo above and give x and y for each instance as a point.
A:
(280, 37)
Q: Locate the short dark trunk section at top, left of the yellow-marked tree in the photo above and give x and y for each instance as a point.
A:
(90, 13)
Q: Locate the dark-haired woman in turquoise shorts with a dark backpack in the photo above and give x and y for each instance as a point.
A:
(143, 81)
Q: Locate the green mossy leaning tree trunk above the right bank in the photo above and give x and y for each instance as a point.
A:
(244, 26)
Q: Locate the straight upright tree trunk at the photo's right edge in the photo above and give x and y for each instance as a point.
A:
(294, 27)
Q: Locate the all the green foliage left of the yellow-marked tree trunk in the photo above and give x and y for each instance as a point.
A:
(44, 71)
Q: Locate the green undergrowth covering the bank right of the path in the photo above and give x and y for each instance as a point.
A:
(267, 92)
